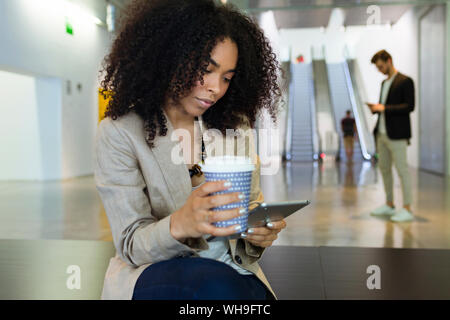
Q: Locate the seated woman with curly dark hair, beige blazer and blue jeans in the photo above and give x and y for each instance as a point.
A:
(172, 63)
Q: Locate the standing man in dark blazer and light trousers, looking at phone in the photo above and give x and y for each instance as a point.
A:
(392, 133)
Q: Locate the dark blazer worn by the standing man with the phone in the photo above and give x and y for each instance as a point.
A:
(399, 103)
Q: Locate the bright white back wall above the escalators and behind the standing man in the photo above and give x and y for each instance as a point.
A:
(362, 42)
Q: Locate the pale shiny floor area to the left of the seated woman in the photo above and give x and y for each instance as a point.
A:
(69, 209)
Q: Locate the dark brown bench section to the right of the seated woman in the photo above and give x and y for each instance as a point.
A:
(342, 273)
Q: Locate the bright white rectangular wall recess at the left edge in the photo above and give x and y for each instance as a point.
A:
(30, 133)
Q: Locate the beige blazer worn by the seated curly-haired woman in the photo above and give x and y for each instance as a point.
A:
(140, 187)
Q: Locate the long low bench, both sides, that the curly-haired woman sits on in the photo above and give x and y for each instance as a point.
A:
(37, 269)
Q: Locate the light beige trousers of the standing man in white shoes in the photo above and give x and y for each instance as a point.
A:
(394, 152)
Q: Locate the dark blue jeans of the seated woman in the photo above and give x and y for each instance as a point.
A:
(197, 279)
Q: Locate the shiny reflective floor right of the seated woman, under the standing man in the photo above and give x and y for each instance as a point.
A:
(342, 197)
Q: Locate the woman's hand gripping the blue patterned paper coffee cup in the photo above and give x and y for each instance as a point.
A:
(195, 218)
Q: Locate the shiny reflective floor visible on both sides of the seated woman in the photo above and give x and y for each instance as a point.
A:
(342, 196)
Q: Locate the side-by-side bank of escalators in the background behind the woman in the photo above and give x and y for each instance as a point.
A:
(319, 96)
